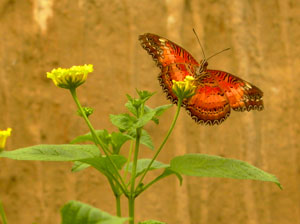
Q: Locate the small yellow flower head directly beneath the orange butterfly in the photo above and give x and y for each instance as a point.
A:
(184, 89)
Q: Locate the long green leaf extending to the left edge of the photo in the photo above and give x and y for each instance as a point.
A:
(53, 153)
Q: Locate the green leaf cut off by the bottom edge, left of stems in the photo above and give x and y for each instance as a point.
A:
(75, 212)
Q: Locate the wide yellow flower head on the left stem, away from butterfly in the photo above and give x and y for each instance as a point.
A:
(71, 77)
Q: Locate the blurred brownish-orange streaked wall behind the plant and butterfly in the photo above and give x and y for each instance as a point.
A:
(39, 35)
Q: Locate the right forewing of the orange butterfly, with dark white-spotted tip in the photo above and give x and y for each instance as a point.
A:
(241, 94)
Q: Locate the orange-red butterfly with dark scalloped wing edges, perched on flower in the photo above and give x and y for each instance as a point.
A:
(217, 91)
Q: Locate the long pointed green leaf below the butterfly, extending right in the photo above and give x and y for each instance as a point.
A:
(203, 165)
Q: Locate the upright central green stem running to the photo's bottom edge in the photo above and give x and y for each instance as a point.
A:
(131, 197)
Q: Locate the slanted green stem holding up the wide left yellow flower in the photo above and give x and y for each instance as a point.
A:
(98, 141)
